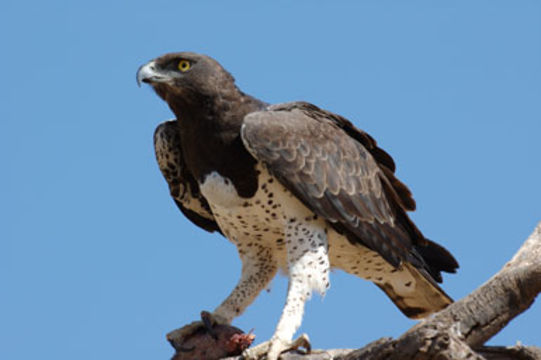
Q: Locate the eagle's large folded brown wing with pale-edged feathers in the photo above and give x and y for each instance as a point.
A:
(309, 151)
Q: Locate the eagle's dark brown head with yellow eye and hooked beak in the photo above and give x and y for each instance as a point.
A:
(186, 77)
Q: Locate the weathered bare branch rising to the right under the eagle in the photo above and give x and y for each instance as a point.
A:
(461, 330)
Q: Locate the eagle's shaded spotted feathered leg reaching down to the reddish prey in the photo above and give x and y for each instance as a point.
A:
(258, 269)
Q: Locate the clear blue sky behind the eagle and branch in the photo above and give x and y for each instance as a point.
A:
(96, 262)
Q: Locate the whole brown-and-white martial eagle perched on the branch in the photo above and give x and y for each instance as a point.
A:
(295, 188)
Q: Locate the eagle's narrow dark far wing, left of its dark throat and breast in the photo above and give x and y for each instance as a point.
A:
(183, 187)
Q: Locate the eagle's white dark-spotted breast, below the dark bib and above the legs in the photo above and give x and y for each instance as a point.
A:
(261, 222)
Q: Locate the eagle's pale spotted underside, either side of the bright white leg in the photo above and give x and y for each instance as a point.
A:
(260, 221)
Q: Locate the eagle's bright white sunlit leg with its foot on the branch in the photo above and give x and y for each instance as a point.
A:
(308, 264)
